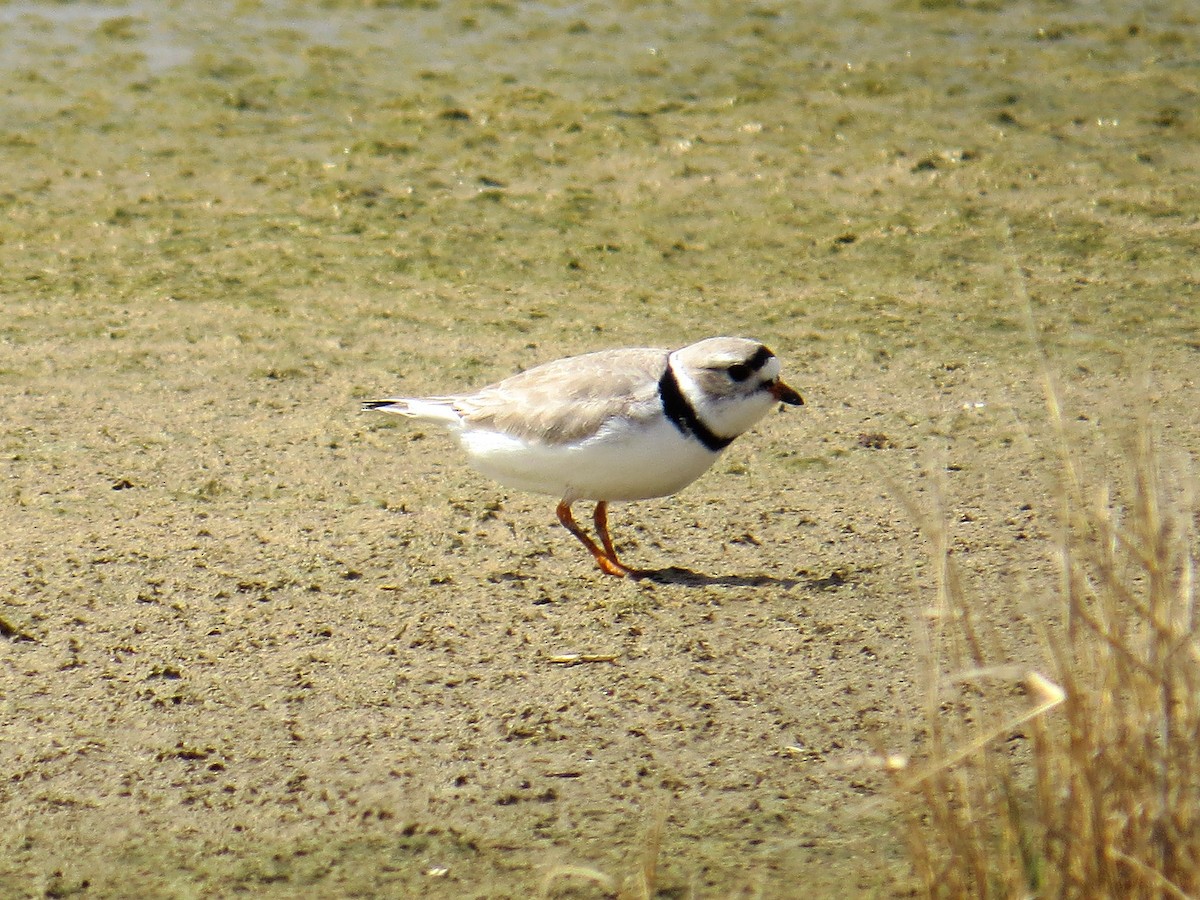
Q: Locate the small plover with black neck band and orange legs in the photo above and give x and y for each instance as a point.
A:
(615, 425)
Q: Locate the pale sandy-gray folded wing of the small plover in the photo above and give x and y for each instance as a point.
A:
(571, 399)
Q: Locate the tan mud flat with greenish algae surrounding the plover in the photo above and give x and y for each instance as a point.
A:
(256, 643)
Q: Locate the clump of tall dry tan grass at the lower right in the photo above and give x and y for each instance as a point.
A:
(1102, 797)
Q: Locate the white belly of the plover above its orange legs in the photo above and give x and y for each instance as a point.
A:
(621, 464)
